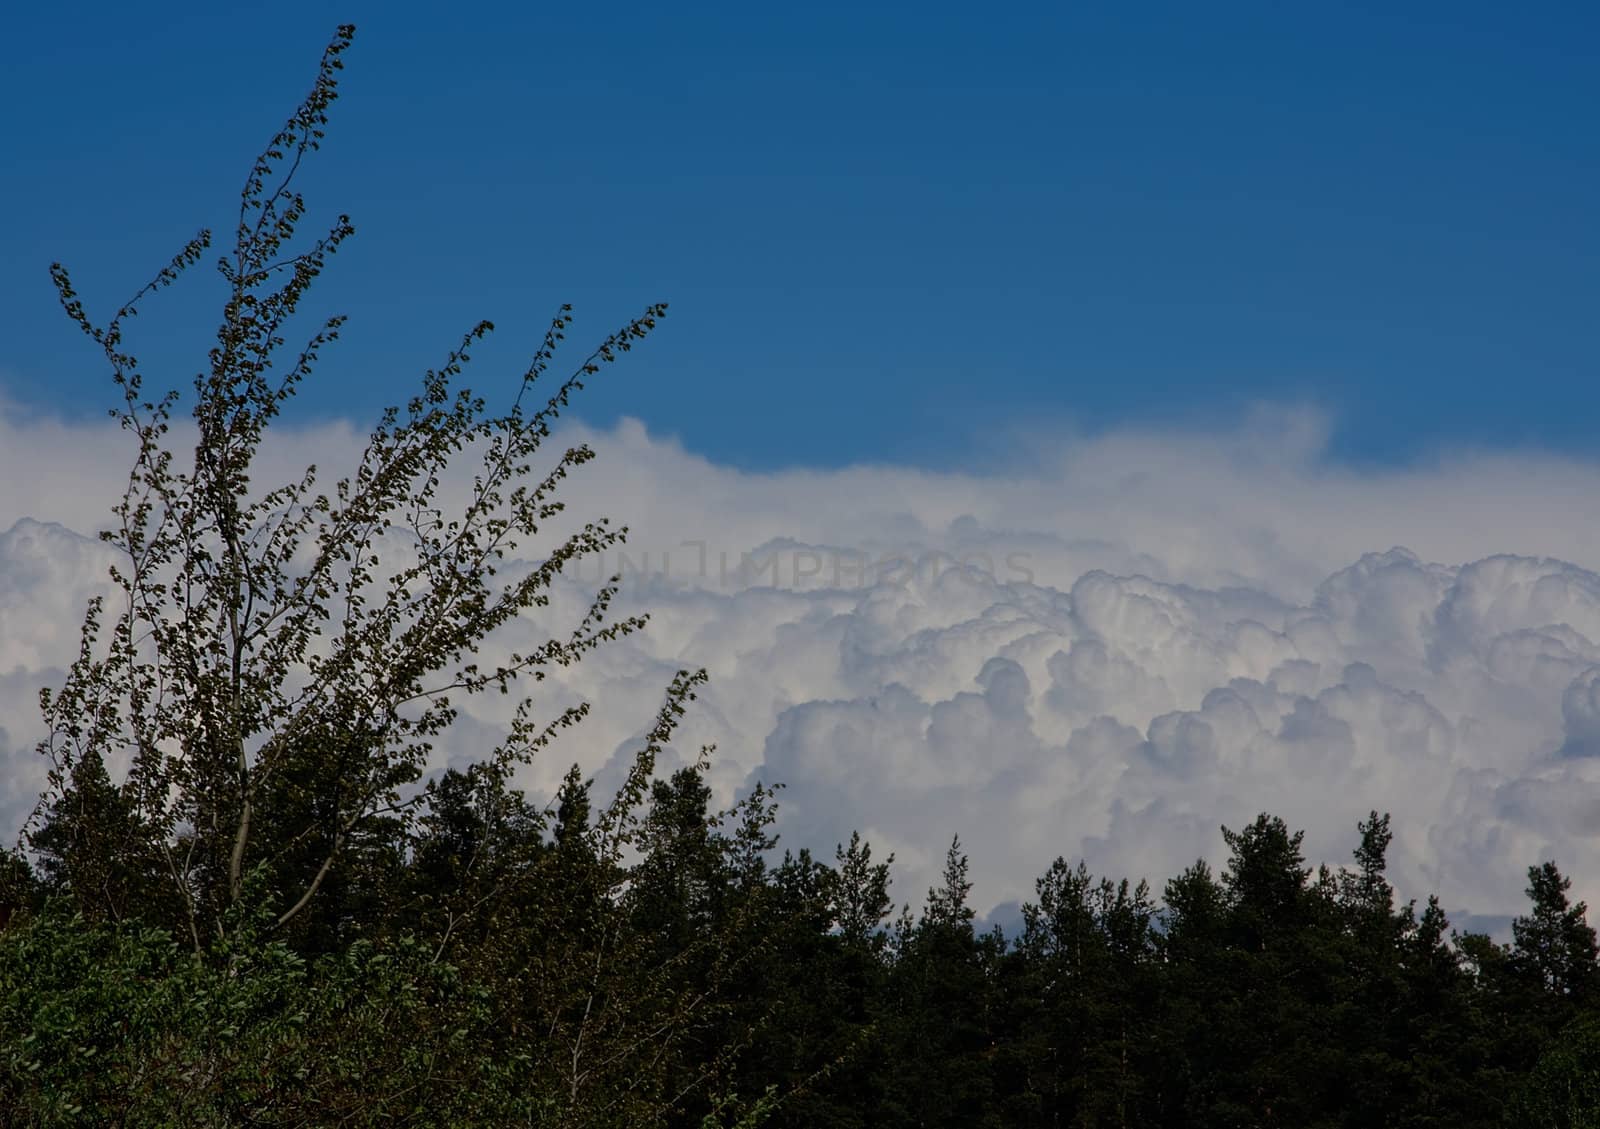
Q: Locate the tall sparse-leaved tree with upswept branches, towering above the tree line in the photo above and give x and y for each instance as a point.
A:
(284, 655)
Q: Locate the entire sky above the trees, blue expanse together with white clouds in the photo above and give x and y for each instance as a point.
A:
(1078, 244)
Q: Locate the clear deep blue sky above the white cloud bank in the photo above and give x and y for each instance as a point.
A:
(889, 234)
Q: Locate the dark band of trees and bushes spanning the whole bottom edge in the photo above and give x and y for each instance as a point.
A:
(497, 963)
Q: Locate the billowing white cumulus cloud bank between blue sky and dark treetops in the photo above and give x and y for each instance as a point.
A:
(1103, 650)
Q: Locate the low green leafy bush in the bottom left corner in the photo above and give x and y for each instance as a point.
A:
(122, 1026)
